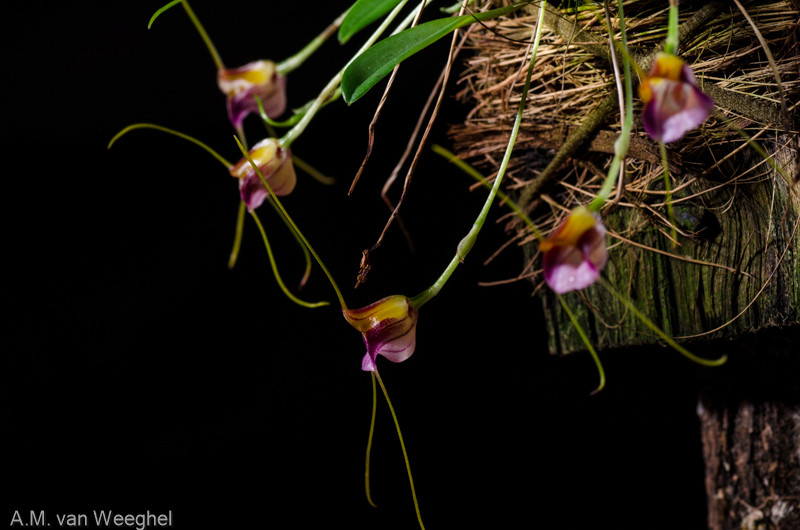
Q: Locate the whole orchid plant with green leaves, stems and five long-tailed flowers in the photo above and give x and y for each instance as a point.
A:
(573, 255)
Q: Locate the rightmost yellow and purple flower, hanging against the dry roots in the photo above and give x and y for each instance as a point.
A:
(673, 104)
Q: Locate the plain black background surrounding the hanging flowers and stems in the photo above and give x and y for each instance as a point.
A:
(139, 373)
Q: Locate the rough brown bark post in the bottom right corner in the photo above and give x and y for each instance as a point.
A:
(750, 424)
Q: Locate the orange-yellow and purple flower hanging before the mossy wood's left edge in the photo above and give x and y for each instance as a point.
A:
(575, 253)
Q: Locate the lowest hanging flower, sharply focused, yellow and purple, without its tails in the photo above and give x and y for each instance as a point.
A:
(389, 328)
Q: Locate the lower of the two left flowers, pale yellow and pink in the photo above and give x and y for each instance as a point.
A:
(275, 163)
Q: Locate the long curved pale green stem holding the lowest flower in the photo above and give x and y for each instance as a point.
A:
(466, 244)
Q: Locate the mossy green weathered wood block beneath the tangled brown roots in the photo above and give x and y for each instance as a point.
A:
(745, 232)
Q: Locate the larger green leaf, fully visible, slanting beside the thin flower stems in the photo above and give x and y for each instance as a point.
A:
(375, 63)
